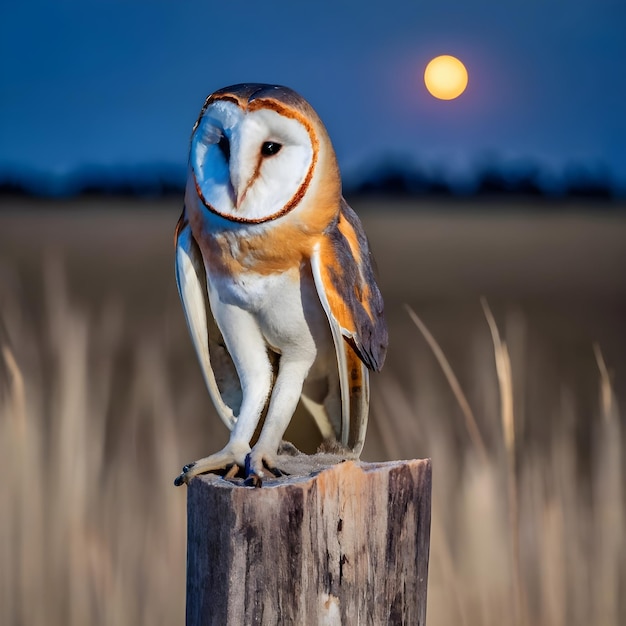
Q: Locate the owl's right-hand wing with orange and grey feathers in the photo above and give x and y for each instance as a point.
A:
(344, 277)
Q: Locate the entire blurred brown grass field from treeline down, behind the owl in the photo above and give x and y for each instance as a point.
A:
(102, 401)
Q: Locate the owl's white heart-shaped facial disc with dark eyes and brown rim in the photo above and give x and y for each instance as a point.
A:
(251, 165)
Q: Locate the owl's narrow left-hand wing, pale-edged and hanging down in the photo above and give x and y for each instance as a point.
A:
(217, 366)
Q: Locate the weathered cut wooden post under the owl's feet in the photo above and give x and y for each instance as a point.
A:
(330, 544)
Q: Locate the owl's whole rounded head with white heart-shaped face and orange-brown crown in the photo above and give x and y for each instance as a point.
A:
(257, 151)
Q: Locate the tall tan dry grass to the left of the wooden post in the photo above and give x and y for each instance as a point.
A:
(91, 529)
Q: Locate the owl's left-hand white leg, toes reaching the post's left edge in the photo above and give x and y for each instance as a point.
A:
(249, 353)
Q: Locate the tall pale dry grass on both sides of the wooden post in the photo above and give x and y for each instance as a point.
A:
(92, 531)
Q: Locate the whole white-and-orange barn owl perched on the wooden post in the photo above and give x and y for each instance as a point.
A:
(275, 277)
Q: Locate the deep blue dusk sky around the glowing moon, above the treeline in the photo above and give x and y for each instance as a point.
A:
(119, 83)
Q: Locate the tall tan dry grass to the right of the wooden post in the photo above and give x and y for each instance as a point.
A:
(522, 536)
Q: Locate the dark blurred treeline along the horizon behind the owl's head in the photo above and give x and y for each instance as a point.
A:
(395, 180)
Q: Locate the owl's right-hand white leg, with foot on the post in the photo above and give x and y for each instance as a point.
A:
(285, 395)
